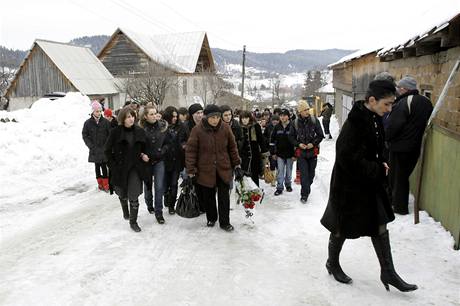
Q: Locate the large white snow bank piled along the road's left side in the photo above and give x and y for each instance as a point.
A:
(43, 153)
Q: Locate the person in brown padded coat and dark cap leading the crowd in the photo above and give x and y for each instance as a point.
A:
(210, 155)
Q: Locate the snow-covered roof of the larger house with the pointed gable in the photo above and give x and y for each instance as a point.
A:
(178, 51)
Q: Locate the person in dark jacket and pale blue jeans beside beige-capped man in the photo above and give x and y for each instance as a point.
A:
(282, 151)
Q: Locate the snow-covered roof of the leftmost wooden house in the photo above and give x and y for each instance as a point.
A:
(80, 66)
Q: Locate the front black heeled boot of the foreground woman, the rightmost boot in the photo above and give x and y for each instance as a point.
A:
(388, 275)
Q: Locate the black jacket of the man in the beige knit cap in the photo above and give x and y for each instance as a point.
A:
(306, 130)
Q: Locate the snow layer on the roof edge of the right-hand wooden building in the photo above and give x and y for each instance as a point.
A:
(445, 16)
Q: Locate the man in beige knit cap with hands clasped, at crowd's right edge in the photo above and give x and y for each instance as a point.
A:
(306, 134)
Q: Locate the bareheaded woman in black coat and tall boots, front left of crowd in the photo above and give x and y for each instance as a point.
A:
(125, 150)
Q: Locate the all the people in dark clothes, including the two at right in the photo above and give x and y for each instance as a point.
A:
(146, 150)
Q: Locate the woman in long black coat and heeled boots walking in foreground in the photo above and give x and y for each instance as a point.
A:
(358, 204)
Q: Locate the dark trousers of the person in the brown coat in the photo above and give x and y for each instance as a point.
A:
(223, 200)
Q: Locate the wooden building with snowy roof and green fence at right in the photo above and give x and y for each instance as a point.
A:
(430, 57)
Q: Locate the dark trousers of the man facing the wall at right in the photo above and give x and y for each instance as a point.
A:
(401, 166)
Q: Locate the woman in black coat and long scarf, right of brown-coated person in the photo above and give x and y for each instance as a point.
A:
(253, 147)
